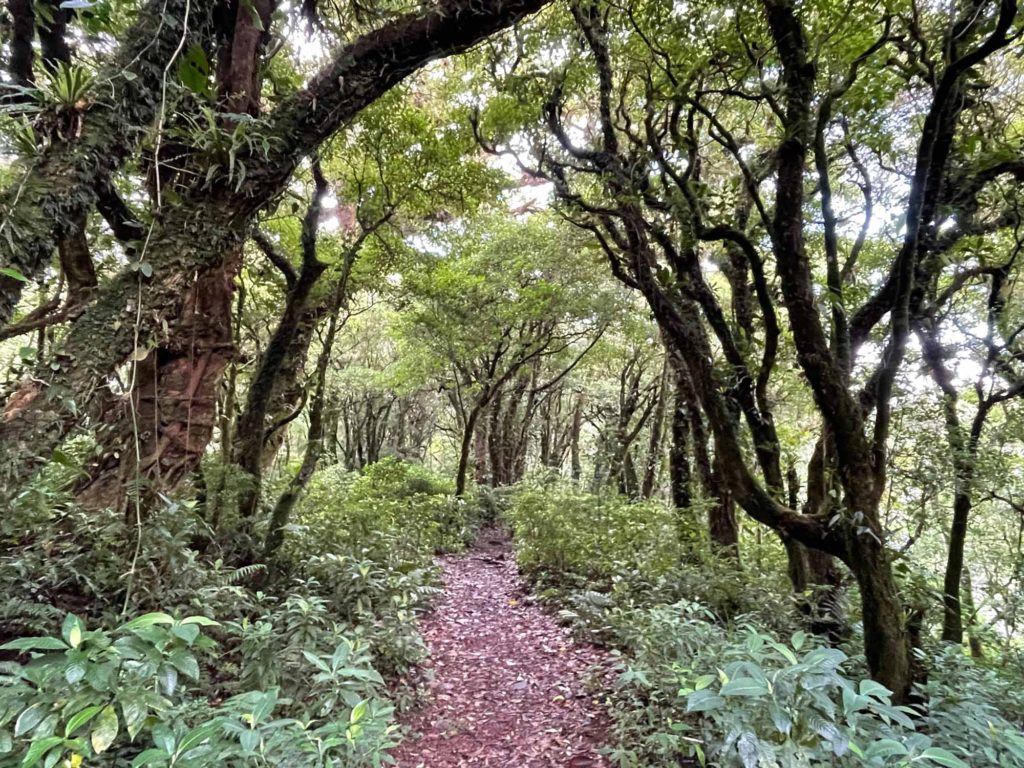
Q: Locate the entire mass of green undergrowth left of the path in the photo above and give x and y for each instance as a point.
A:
(302, 662)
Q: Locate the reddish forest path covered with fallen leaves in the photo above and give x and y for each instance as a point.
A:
(509, 684)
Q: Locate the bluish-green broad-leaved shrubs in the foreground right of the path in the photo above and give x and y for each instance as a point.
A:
(745, 700)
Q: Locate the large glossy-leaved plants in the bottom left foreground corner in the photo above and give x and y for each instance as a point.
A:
(136, 694)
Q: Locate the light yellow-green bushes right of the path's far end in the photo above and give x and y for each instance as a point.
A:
(603, 554)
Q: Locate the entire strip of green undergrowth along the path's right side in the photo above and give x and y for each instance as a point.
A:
(716, 669)
